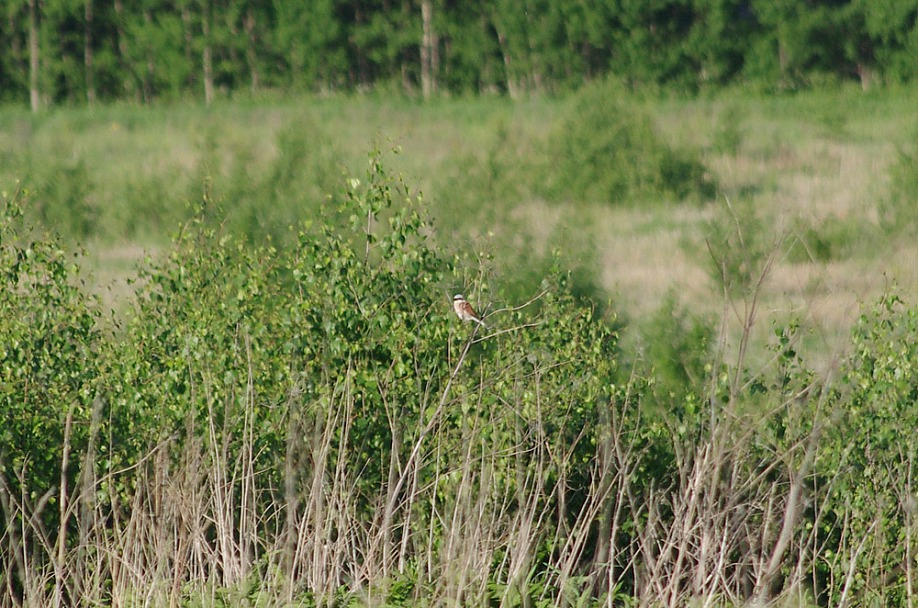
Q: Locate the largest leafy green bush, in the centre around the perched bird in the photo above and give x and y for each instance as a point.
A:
(343, 356)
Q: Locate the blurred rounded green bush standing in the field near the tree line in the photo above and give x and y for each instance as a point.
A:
(607, 150)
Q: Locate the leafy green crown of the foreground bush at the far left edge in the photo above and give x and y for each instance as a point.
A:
(48, 339)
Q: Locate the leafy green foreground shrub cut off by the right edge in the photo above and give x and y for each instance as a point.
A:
(868, 460)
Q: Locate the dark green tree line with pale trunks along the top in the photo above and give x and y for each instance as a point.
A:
(81, 51)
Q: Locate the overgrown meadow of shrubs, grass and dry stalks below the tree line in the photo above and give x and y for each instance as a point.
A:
(695, 386)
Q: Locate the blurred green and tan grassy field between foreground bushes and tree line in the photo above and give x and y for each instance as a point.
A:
(812, 169)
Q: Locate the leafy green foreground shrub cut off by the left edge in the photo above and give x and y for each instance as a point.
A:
(51, 353)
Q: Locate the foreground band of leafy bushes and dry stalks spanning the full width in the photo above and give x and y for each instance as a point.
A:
(312, 426)
